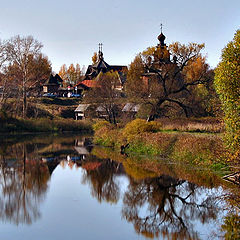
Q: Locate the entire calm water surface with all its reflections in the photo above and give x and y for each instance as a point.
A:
(60, 187)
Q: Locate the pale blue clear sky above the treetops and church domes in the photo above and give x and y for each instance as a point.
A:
(71, 30)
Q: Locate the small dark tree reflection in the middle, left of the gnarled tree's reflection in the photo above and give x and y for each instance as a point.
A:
(103, 182)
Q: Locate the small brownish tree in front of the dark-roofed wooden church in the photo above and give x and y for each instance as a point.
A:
(106, 95)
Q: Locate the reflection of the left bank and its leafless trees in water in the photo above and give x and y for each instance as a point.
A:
(24, 177)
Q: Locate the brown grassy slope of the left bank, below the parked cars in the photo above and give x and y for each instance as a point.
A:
(53, 115)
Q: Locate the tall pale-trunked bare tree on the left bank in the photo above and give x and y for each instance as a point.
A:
(22, 52)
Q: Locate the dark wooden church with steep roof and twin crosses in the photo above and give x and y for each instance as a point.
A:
(100, 66)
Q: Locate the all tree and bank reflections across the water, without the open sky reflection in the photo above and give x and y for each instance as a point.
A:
(164, 201)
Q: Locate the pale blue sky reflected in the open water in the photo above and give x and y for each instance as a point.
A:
(70, 212)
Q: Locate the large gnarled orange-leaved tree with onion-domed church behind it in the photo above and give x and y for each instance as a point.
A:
(163, 78)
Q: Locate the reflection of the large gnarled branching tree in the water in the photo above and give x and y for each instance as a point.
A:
(166, 205)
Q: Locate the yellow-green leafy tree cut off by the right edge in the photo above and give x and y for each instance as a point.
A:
(227, 84)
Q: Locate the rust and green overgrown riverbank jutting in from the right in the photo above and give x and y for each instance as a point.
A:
(141, 138)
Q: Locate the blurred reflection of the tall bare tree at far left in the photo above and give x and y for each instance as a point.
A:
(23, 185)
